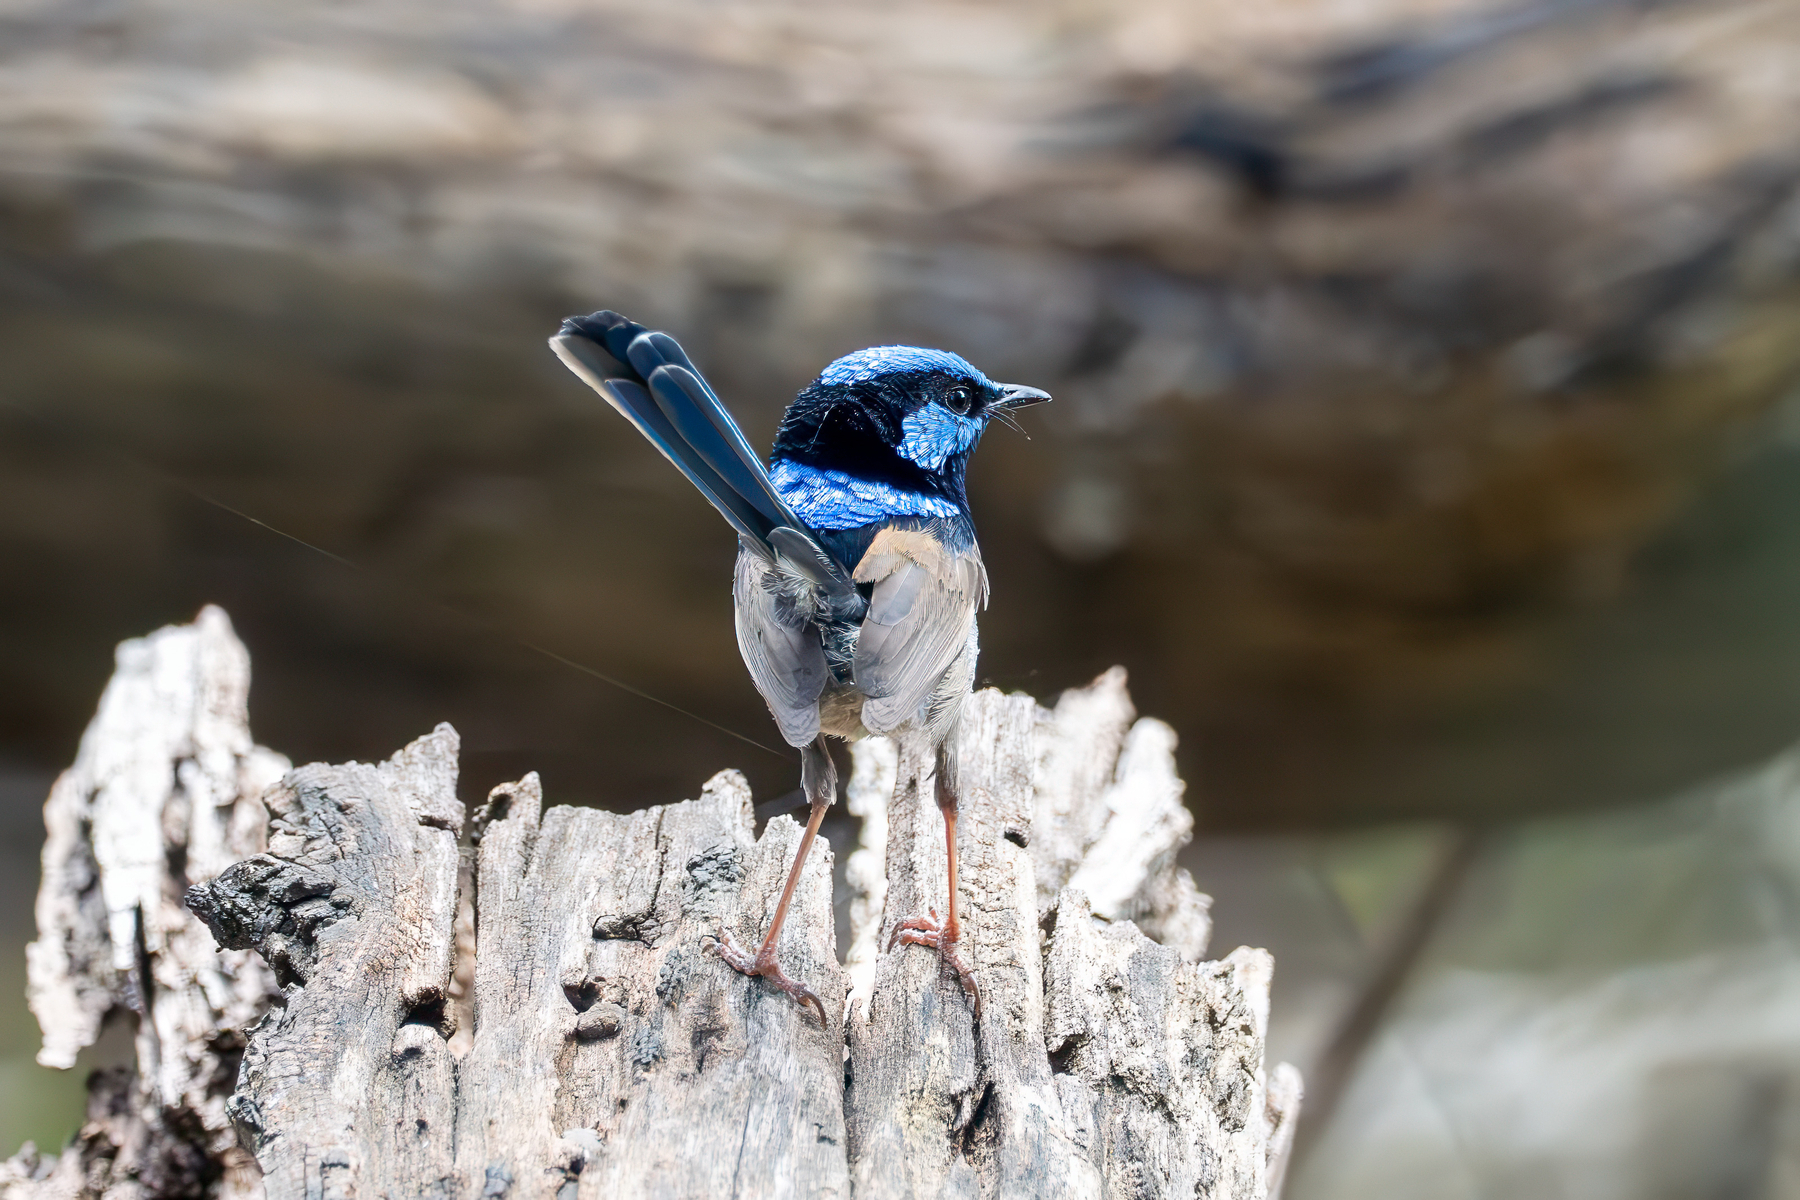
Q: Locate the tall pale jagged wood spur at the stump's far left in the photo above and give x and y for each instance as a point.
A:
(165, 793)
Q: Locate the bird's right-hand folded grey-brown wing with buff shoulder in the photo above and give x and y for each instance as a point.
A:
(922, 616)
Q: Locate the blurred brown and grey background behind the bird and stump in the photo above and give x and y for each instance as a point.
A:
(1426, 445)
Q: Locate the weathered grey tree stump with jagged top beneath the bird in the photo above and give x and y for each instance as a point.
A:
(611, 1052)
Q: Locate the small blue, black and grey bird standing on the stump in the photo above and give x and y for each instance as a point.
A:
(858, 578)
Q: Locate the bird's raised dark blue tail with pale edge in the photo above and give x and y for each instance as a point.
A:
(649, 379)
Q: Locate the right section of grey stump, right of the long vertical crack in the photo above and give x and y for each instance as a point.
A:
(1104, 1064)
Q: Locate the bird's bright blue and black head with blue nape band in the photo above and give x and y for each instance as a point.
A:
(888, 431)
